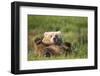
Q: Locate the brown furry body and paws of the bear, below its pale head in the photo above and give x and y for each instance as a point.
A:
(42, 49)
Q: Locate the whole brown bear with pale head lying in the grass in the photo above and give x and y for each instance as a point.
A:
(51, 45)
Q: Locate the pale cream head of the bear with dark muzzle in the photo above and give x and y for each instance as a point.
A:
(52, 38)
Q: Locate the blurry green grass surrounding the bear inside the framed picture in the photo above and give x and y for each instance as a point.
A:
(74, 30)
